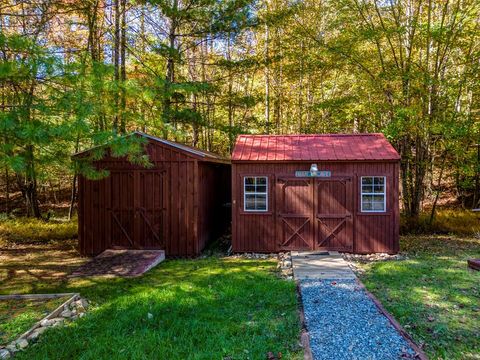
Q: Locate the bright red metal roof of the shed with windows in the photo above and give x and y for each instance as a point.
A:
(320, 147)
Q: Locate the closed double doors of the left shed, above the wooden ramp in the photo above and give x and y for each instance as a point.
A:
(136, 209)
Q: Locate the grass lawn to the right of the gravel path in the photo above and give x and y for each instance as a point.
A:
(433, 294)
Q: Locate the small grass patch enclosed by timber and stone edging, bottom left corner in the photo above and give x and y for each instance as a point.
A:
(17, 316)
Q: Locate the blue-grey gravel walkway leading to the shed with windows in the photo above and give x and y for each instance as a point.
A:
(344, 323)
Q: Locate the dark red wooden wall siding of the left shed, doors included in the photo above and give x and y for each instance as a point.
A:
(166, 195)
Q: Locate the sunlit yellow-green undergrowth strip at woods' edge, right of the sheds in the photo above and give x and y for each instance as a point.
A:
(461, 222)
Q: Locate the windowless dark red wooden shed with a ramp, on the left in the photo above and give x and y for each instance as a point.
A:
(178, 205)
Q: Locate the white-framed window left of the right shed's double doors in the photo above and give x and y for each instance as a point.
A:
(255, 193)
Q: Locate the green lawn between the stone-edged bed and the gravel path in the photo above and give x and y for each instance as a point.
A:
(183, 309)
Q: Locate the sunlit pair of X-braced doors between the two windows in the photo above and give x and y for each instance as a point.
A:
(315, 213)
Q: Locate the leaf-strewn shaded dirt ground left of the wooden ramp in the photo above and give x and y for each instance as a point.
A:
(33, 268)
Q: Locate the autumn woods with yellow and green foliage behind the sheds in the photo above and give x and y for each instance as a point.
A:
(74, 74)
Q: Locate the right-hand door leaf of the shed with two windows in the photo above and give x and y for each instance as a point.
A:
(333, 213)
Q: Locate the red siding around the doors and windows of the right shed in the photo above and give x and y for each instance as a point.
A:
(372, 232)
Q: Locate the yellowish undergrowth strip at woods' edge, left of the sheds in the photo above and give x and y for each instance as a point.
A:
(31, 230)
